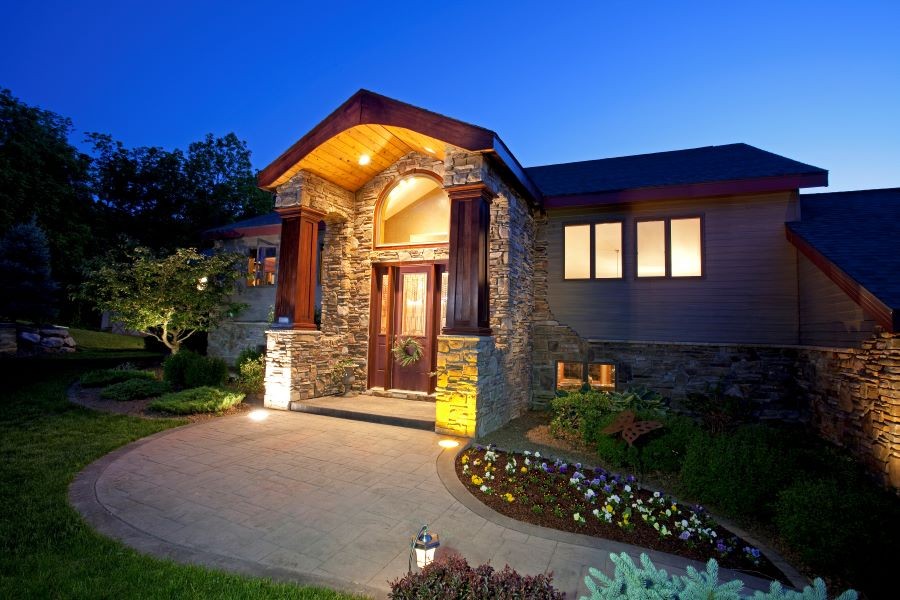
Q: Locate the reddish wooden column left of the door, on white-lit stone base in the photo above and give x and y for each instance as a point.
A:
(295, 297)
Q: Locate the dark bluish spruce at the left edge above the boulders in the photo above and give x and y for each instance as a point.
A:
(29, 293)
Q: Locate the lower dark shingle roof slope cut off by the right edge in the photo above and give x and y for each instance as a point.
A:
(860, 233)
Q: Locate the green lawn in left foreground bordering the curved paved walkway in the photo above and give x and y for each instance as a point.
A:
(47, 550)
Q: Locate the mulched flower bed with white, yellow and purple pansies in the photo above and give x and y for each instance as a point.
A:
(571, 497)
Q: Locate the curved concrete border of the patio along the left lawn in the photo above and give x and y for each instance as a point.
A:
(82, 496)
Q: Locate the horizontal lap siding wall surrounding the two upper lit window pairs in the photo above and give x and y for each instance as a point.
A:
(747, 295)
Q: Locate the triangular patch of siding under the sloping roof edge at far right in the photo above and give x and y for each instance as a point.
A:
(828, 317)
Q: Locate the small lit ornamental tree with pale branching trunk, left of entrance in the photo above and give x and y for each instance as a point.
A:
(169, 297)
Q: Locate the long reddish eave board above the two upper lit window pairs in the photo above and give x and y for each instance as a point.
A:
(756, 185)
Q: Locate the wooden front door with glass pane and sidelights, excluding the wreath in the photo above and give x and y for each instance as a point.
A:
(407, 304)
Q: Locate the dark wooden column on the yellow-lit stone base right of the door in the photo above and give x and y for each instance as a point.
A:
(467, 294)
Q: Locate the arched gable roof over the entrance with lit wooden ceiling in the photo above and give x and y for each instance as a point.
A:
(383, 130)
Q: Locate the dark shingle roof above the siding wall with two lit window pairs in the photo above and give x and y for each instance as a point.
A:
(678, 167)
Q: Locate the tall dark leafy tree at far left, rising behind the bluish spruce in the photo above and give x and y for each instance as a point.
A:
(44, 177)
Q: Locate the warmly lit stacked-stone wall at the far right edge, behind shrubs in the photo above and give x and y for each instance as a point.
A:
(855, 401)
